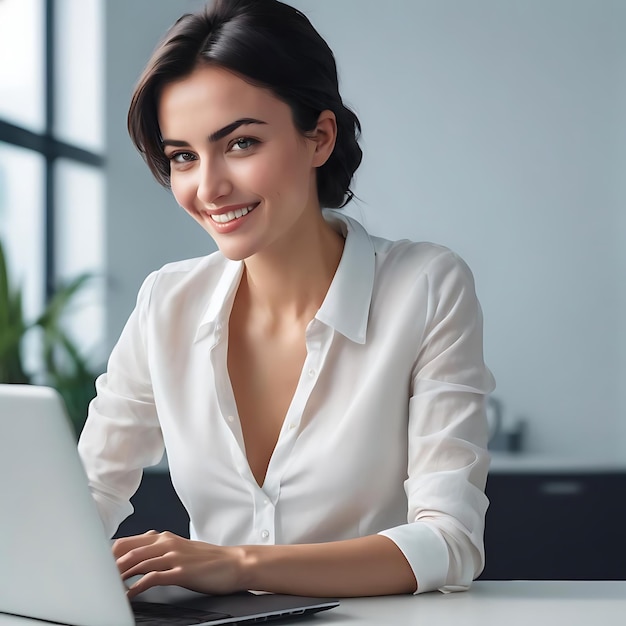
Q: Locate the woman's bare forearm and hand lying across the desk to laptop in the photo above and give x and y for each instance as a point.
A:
(366, 566)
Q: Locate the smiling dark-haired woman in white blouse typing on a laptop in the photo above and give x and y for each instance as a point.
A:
(320, 392)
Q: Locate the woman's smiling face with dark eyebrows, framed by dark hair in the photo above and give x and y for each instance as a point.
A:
(238, 164)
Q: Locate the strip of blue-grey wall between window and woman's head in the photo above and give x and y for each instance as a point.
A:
(145, 227)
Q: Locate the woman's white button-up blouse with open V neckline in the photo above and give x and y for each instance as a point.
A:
(386, 432)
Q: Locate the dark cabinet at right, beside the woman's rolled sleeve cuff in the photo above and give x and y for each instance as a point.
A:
(556, 526)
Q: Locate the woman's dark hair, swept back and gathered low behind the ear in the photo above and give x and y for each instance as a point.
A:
(269, 44)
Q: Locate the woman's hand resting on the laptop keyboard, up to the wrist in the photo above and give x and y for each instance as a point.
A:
(167, 559)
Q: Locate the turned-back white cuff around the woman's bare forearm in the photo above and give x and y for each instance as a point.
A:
(425, 550)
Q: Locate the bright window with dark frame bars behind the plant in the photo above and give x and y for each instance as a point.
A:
(51, 152)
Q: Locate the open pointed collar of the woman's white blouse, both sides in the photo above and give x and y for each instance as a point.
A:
(347, 303)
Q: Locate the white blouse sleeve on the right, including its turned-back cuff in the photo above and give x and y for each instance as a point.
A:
(448, 459)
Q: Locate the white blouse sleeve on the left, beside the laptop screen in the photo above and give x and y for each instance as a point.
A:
(122, 434)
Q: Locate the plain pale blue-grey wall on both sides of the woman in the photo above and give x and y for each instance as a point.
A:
(495, 127)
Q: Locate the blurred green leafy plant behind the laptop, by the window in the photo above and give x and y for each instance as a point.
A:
(64, 367)
